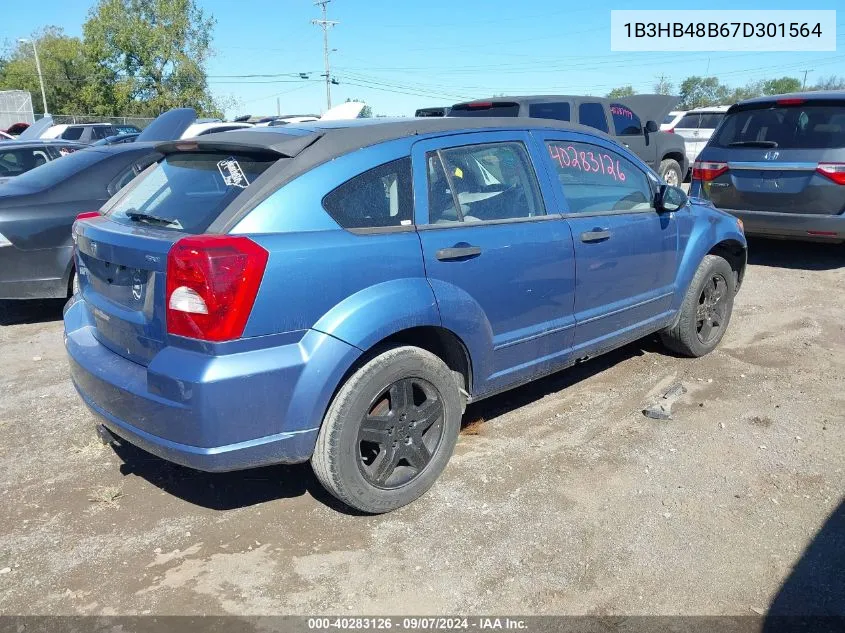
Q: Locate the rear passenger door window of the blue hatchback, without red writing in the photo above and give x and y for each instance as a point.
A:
(478, 183)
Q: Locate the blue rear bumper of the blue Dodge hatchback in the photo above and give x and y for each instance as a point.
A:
(211, 413)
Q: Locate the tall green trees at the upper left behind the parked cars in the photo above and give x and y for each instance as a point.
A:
(135, 58)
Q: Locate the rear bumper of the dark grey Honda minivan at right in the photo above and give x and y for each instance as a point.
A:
(799, 226)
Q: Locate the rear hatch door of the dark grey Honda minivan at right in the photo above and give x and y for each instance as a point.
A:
(773, 154)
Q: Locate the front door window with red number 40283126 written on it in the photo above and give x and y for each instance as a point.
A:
(596, 179)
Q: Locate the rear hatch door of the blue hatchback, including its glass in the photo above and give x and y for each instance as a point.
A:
(122, 258)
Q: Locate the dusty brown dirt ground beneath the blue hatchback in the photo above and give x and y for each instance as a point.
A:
(562, 496)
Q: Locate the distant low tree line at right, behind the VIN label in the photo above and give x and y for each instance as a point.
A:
(699, 92)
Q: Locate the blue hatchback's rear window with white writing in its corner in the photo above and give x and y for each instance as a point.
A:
(187, 192)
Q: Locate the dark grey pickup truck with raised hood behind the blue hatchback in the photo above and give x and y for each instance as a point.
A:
(622, 119)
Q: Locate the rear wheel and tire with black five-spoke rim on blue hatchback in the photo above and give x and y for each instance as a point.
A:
(370, 428)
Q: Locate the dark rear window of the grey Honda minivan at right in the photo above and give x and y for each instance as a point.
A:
(786, 127)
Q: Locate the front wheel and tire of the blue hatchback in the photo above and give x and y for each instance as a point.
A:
(706, 310)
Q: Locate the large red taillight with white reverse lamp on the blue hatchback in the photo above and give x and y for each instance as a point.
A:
(212, 282)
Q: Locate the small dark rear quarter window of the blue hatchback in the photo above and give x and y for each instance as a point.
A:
(378, 198)
